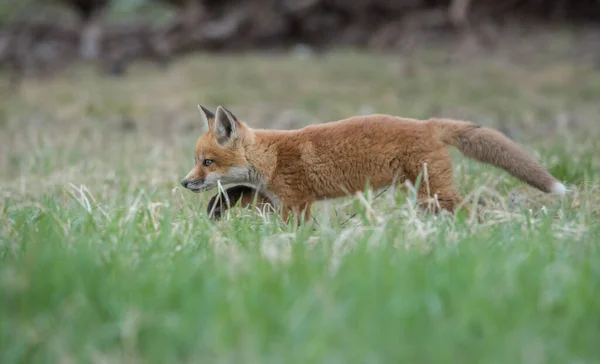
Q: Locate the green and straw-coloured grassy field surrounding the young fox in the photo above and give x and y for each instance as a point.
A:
(105, 259)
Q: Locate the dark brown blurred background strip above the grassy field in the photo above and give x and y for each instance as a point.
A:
(41, 37)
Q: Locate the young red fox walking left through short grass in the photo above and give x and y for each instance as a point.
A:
(291, 169)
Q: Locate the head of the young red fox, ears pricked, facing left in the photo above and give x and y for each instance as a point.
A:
(220, 154)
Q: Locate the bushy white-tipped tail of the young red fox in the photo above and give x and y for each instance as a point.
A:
(490, 146)
